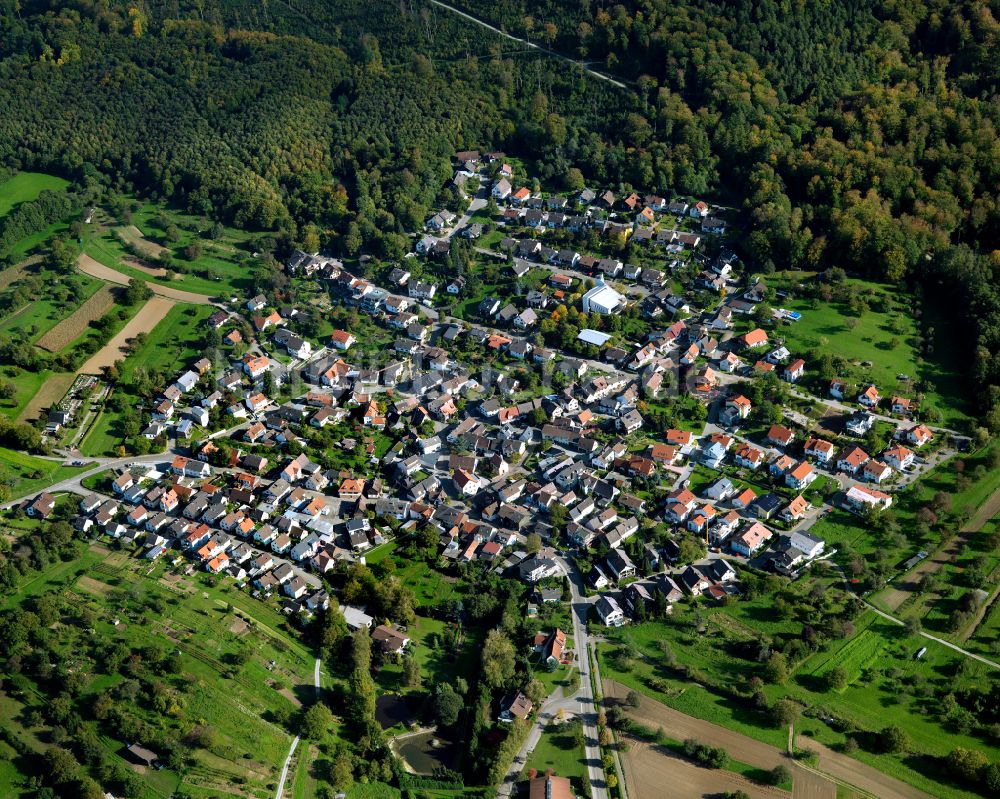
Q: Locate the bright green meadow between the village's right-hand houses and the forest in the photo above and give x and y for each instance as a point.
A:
(887, 336)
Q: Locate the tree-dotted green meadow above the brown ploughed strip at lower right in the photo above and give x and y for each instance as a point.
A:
(888, 686)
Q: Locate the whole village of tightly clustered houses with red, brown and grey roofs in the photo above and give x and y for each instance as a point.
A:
(523, 448)
